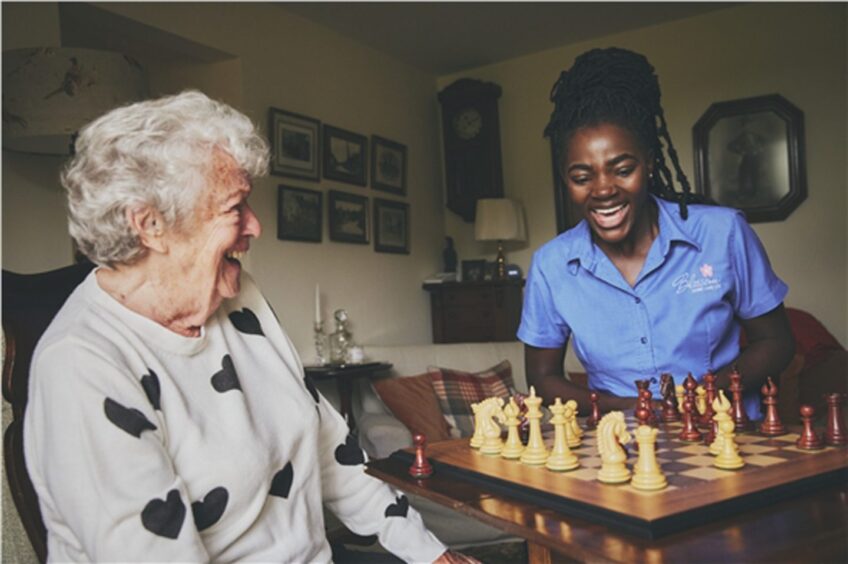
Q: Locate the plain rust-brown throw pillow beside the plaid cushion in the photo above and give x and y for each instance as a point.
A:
(412, 401)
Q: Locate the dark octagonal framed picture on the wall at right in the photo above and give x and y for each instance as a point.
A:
(749, 154)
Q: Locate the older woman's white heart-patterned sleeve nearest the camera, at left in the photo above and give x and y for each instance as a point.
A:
(95, 451)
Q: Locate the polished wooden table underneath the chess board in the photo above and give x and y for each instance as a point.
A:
(810, 528)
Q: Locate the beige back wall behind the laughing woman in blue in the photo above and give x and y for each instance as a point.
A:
(796, 50)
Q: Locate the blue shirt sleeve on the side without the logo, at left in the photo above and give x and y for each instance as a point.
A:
(541, 324)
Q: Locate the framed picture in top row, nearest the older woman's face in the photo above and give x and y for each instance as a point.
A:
(295, 147)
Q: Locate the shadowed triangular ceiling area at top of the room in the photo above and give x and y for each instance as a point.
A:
(447, 37)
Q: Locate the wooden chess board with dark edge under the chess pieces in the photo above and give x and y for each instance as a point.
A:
(697, 492)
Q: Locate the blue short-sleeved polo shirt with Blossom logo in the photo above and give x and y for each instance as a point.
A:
(680, 316)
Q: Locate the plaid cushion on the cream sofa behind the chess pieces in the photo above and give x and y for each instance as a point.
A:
(457, 390)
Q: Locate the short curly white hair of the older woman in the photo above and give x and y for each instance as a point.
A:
(156, 153)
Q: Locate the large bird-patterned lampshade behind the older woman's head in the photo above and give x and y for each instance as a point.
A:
(50, 93)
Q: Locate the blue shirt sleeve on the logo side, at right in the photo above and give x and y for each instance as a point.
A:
(758, 289)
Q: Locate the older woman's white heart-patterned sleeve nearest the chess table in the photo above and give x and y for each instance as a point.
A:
(364, 504)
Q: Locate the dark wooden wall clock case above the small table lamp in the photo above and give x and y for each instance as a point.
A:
(472, 144)
